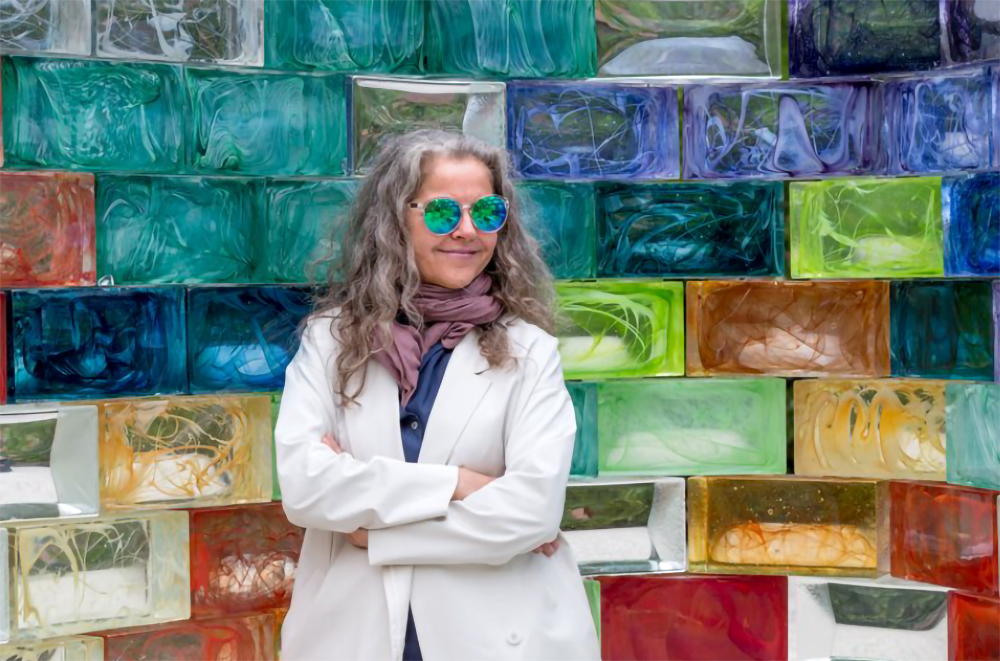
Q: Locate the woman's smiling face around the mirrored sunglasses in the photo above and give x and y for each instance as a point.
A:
(453, 260)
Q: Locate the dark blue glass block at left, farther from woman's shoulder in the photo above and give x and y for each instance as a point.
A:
(92, 343)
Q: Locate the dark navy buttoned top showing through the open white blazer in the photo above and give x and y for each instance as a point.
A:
(412, 421)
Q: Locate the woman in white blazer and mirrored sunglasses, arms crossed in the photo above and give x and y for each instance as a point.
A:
(441, 544)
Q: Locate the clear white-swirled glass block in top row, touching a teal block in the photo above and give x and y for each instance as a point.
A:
(209, 31)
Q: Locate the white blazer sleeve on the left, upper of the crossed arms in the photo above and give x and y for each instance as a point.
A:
(330, 491)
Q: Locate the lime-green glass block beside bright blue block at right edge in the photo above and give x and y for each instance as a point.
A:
(867, 228)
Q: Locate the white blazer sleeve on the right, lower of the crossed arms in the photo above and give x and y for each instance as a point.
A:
(516, 512)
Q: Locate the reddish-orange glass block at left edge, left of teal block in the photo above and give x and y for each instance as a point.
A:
(46, 229)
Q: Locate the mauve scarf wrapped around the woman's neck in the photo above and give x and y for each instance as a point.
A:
(449, 315)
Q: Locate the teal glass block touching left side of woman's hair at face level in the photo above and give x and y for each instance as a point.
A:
(306, 229)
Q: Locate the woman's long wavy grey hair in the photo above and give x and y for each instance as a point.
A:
(378, 264)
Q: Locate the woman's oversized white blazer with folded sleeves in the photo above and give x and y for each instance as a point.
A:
(465, 567)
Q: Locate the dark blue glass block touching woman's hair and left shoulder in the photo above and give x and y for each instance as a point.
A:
(242, 338)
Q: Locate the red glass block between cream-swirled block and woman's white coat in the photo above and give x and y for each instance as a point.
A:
(242, 559)
